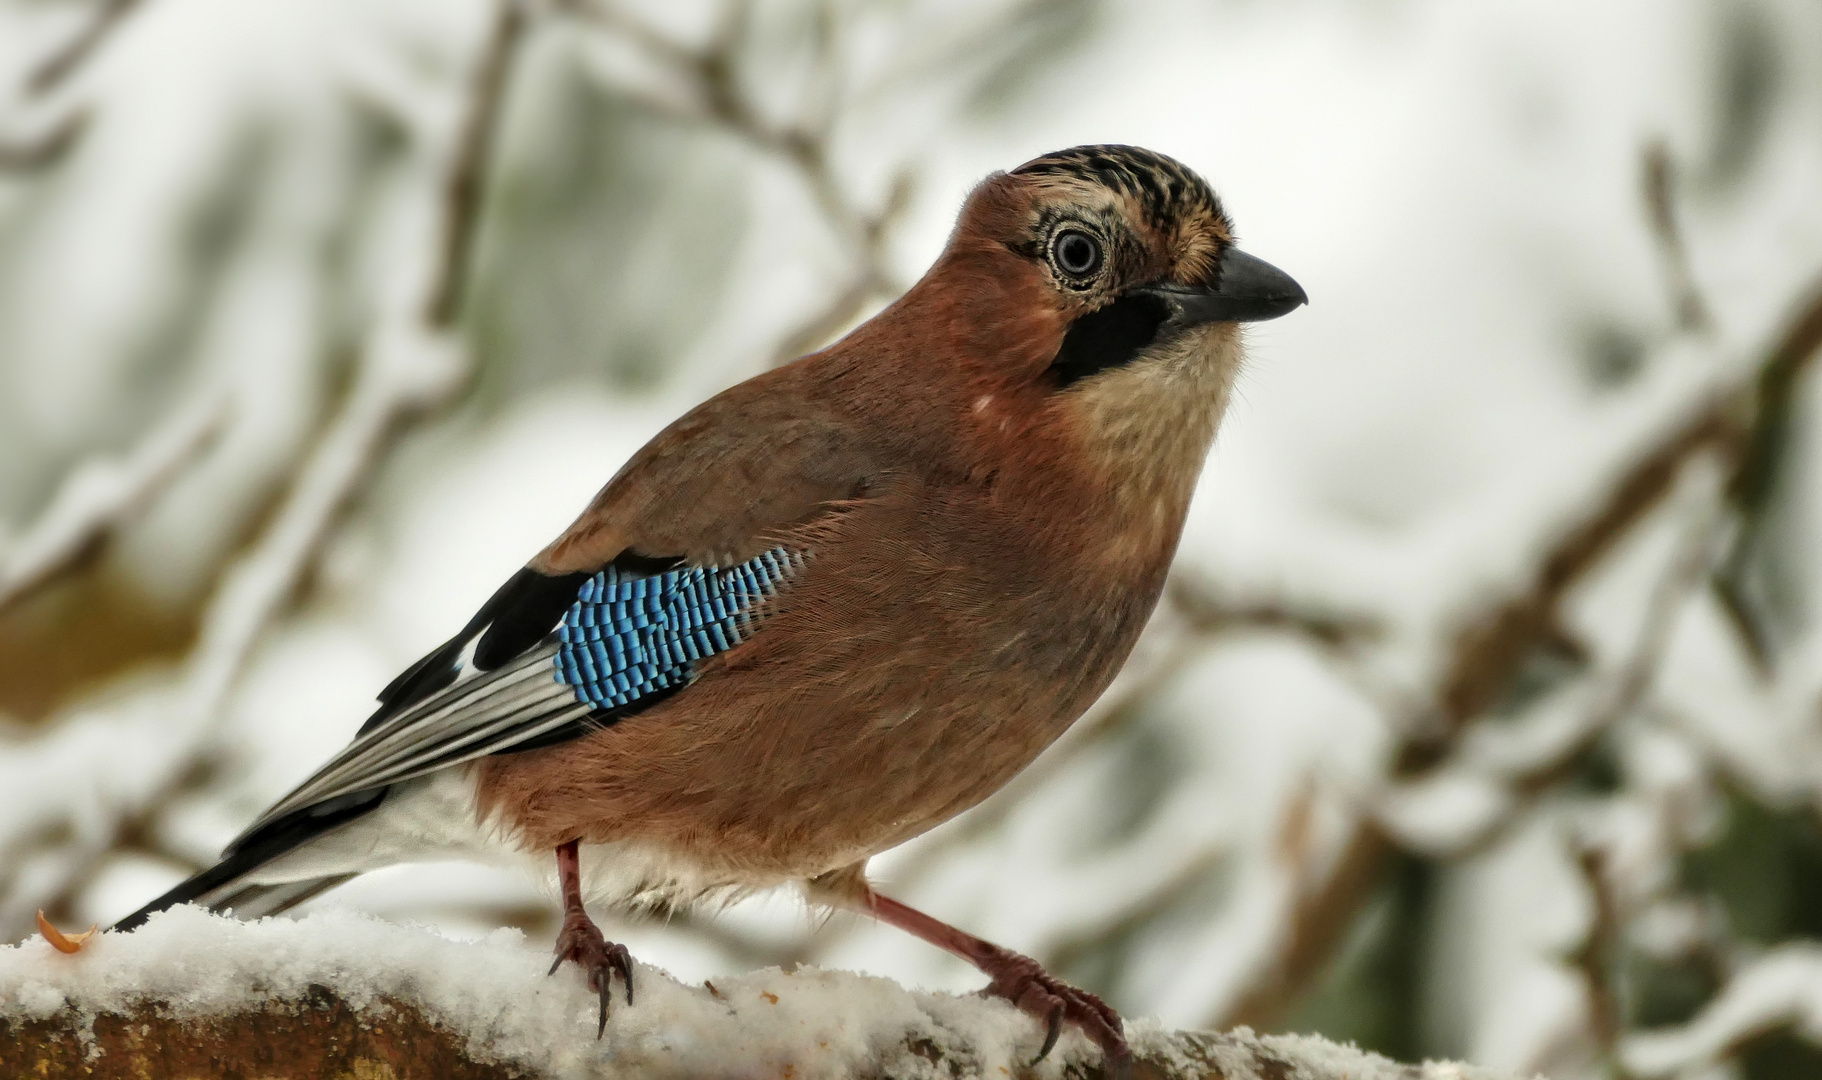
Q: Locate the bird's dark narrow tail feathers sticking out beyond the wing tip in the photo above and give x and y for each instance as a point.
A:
(223, 886)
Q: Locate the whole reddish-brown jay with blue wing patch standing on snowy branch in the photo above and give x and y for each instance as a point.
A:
(834, 606)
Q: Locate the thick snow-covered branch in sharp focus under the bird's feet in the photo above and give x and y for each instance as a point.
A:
(343, 993)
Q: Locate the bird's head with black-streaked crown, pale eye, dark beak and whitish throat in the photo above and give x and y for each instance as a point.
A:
(1090, 298)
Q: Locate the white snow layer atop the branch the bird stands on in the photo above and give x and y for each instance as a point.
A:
(498, 993)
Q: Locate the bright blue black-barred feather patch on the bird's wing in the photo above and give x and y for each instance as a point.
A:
(630, 637)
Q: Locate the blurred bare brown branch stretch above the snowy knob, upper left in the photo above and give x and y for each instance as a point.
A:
(466, 187)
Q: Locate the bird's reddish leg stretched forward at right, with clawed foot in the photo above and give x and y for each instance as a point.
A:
(1018, 979)
